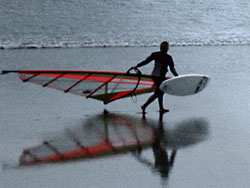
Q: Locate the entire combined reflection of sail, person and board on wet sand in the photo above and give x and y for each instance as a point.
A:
(111, 134)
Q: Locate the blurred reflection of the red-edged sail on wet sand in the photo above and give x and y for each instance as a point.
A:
(100, 135)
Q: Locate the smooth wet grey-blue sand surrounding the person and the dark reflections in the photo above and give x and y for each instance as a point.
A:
(30, 113)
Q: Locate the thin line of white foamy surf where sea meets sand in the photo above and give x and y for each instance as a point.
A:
(75, 44)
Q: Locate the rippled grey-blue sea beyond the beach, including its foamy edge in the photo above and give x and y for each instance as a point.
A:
(82, 23)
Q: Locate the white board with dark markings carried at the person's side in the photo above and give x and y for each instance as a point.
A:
(183, 85)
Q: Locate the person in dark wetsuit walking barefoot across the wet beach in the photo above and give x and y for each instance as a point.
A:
(162, 62)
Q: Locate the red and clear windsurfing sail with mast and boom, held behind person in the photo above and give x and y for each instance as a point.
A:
(99, 85)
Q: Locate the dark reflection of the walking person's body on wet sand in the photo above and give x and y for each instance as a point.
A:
(163, 163)
